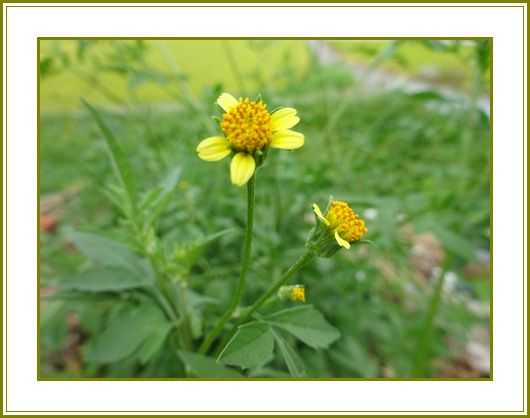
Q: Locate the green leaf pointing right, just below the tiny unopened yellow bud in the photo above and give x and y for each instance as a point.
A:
(306, 324)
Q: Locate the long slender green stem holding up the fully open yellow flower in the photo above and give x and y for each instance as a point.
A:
(245, 264)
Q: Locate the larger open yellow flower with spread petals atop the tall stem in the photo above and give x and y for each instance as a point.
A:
(249, 129)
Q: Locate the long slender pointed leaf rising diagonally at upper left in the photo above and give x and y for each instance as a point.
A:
(120, 163)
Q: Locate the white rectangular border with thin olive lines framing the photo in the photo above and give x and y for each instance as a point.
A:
(506, 393)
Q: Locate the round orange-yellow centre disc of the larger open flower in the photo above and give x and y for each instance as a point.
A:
(247, 126)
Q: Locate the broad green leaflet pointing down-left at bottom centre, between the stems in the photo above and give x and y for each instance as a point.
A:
(251, 346)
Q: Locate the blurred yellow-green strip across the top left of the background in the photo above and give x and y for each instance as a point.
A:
(200, 64)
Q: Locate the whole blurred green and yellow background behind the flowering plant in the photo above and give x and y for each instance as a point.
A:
(399, 129)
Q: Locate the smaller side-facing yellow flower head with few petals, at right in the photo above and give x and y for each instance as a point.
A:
(343, 222)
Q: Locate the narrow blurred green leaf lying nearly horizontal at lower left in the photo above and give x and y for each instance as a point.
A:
(106, 279)
